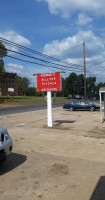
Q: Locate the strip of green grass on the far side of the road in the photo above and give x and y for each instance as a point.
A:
(27, 100)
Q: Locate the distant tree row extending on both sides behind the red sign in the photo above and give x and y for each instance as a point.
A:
(72, 86)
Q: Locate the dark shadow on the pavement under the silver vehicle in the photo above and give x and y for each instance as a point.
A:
(13, 161)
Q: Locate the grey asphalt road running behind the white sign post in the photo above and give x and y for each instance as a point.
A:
(20, 109)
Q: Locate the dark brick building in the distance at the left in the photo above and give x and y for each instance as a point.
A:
(10, 86)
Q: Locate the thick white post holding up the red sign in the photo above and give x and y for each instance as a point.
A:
(49, 109)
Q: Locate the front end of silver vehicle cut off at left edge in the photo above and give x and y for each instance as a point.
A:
(6, 144)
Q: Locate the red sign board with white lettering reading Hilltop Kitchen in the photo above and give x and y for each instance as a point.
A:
(49, 82)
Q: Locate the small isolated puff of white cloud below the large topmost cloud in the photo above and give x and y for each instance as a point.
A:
(83, 19)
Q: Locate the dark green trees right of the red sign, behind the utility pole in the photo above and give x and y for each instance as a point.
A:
(74, 85)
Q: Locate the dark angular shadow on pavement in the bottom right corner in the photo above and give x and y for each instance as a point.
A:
(99, 192)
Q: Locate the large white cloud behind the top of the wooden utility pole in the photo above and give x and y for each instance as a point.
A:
(94, 44)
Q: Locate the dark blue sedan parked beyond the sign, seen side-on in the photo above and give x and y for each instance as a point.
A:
(81, 105)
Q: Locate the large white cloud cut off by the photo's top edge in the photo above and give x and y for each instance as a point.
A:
(66, 8)
